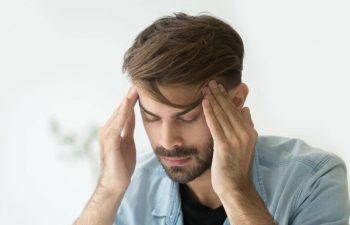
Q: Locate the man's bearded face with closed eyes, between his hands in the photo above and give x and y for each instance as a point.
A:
(179, 137)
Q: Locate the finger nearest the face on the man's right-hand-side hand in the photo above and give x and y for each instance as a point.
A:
(213, 125)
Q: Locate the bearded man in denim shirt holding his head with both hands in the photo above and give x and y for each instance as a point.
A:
(209, 164)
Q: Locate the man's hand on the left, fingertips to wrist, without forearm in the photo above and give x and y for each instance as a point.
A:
(118, 153)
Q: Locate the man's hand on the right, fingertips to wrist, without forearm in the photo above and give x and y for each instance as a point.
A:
(234, 140)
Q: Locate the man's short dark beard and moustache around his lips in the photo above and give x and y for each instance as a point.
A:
(200, 161)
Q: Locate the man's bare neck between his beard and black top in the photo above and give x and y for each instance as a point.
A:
(203, 191)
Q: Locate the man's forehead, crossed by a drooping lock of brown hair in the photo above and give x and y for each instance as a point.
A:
(184, 95)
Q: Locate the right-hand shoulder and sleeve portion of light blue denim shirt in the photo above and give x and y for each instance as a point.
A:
(298, 181)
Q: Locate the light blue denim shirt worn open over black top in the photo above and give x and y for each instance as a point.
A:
(299, 184)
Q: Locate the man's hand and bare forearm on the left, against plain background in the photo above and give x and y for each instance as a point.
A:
(118, 159)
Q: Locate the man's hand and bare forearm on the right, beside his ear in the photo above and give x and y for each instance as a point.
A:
(234, 148)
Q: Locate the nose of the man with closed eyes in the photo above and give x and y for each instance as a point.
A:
(170, 137)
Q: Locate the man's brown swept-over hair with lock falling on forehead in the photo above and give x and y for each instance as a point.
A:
(185, 50)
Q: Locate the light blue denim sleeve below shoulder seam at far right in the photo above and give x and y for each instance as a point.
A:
(324, 197)
